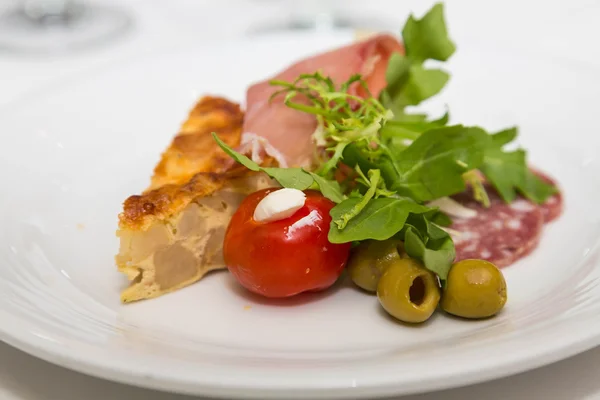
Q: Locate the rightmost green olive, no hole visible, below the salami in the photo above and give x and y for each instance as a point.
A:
(474, 289)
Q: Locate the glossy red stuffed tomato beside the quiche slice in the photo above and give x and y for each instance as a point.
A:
(285, 257)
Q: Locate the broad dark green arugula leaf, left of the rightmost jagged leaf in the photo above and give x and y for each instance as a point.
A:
(432, 166)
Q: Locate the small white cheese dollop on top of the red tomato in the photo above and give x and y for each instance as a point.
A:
(280, 204)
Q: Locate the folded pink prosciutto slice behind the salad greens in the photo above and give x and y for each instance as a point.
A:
(290, 130)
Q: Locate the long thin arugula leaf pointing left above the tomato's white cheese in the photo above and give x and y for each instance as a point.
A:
(295, 178)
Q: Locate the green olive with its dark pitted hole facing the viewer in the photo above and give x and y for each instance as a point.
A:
(408, 291)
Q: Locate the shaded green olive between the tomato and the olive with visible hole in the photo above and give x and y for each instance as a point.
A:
(369, 259)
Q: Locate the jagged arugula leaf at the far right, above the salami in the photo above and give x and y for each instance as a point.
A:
(508, 172)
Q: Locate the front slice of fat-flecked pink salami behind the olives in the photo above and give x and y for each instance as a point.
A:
(501, 234)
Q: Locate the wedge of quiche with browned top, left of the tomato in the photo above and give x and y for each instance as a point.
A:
(172, 234)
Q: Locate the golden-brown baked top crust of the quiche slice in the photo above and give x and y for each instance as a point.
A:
(193, 165)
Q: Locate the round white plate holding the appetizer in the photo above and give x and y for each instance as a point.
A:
(71, 155)
